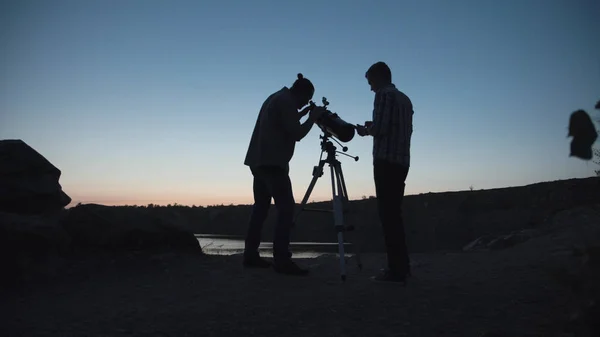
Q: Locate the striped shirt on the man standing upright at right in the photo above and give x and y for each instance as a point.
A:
(392, 126)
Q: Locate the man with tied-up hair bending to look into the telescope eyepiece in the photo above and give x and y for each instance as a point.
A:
(275, 134)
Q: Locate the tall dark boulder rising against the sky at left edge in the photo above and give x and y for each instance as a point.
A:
(29, 183)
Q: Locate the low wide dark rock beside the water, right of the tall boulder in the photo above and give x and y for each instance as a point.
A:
(97, 227)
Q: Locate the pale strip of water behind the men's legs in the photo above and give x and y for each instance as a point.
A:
(229, 245)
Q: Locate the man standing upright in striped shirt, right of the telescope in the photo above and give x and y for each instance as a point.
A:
(391, 129)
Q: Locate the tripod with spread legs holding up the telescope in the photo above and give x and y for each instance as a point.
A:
(340, 195)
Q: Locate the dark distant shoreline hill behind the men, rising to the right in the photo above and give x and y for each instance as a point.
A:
(433, 221)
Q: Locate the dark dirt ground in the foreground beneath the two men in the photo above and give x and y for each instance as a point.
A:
(505, 293)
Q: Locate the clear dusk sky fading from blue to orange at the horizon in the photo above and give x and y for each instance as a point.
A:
(146, 101)
